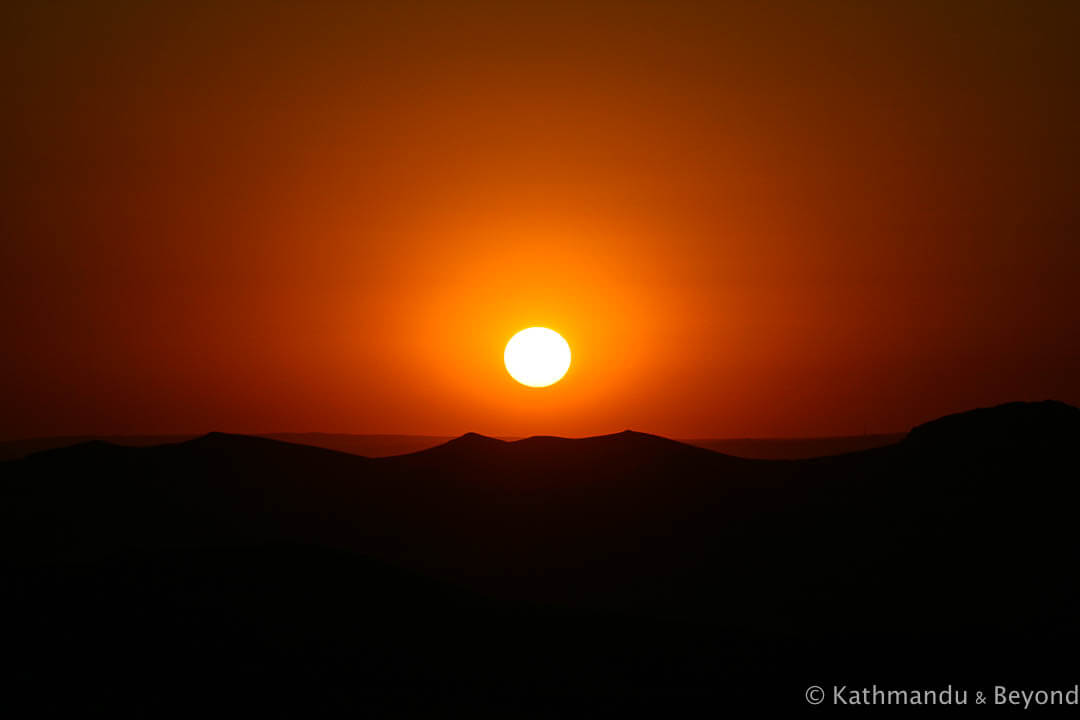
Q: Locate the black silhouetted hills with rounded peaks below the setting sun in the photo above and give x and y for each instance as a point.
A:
(602, 577)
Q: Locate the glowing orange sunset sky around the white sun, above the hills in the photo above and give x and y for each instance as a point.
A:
(823, 219)
